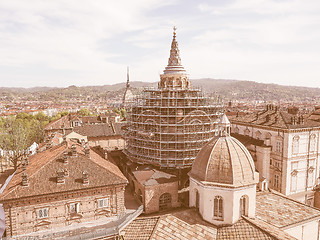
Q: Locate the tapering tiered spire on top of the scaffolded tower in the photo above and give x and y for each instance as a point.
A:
(174, 62)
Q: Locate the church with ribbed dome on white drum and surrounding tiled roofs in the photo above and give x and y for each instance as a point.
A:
(225, 204)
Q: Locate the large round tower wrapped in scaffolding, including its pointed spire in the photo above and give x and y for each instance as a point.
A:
(167, 126)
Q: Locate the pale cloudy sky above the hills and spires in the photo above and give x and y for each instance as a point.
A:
(91, 42)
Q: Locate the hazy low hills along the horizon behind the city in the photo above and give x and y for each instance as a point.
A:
(227, 89)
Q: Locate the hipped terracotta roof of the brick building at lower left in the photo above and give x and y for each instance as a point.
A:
(42, 173)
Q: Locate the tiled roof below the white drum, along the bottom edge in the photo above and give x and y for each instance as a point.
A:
(188, 224)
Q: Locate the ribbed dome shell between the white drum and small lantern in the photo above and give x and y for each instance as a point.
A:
(224, 160)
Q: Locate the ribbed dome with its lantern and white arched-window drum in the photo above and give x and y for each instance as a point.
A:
(223, 179)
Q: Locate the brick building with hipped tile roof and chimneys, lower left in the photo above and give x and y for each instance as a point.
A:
(64, 185)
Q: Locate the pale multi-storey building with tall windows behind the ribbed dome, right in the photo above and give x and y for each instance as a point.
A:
(285, 148)
